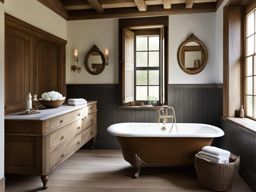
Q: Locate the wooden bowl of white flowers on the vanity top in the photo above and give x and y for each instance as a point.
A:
(52, 99)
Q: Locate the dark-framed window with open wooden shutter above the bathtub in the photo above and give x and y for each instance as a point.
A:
(143, 70)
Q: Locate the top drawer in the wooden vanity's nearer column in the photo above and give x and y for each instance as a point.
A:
(62, 120)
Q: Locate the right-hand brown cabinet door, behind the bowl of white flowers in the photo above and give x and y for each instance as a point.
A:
(47, 63)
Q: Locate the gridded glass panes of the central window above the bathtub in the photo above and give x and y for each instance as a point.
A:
(147, 68)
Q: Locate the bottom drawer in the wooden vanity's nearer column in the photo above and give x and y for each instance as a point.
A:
(65, 151)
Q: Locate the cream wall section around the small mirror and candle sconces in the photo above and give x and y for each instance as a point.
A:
(83, 35)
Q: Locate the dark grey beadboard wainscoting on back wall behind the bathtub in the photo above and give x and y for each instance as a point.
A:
(192, 103)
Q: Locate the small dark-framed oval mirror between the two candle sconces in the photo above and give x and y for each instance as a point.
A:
(94, 61)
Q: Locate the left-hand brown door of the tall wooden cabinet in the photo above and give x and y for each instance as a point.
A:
(17, 69)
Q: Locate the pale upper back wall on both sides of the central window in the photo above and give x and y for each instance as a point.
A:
(104, 33)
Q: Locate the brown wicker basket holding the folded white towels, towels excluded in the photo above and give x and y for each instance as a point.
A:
(218, 177)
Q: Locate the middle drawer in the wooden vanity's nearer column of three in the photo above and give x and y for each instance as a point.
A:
(62, 135)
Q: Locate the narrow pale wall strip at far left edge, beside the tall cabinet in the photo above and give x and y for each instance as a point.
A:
(1, 90)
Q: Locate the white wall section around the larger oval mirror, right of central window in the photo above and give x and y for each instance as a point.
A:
(203, 26)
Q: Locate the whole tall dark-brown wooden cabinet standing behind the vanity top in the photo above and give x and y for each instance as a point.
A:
(34, 62)
